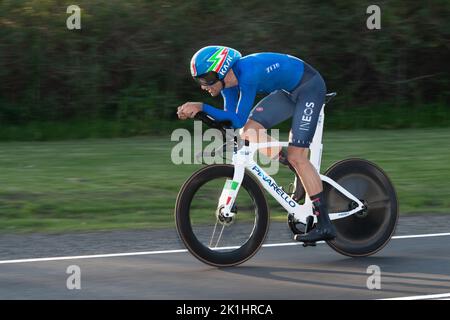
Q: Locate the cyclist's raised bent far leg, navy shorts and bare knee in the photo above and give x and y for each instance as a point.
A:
(270, 111)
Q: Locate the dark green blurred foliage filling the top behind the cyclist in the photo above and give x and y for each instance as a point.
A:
(129, 64)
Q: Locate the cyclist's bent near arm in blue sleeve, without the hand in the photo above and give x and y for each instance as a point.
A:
(238, 114)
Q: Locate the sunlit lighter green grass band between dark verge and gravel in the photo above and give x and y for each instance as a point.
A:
(103, 184)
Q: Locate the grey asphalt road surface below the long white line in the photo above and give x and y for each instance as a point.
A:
(409, 267)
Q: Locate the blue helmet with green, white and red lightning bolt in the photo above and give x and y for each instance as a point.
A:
(216, 60)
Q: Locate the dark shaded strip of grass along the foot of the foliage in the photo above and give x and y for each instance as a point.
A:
(376, 116)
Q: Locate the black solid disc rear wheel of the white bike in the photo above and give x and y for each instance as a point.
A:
(362, 234)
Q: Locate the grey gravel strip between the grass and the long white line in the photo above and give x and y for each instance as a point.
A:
(35, 245)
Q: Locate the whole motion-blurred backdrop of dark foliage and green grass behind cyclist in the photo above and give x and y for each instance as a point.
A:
(86, 115)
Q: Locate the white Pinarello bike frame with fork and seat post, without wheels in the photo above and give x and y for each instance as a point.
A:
(243, 159)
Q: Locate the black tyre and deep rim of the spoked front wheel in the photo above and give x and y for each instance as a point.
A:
(192, 240)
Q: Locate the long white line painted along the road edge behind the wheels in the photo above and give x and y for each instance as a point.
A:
(110, 255)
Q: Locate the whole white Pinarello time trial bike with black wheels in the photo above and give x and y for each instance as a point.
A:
(222, 215)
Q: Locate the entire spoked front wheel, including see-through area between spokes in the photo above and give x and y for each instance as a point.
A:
(213, 239)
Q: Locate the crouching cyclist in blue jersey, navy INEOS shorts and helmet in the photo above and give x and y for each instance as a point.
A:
(295, 90)
